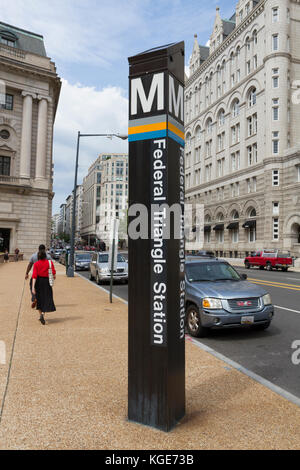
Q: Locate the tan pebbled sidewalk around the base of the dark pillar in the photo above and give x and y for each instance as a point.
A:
(67, 384)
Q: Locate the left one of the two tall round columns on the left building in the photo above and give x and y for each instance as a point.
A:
(25, 159)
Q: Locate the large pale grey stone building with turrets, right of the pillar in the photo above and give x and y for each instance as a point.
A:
(243, 129)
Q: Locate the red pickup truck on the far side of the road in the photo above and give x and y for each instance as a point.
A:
(269, 259)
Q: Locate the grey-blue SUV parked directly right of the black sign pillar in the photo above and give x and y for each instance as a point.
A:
(217, 296)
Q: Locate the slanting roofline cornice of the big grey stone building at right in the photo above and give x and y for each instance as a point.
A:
(235, 33)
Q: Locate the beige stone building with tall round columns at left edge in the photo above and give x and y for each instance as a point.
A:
(29, 94)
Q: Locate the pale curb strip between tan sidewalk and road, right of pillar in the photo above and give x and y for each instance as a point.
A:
(274, 388)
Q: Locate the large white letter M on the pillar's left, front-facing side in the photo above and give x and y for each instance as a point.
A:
(146, 103)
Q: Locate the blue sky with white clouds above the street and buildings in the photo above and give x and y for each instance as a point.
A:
(90, 42)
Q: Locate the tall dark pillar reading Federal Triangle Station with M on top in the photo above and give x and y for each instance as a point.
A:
(156, 259)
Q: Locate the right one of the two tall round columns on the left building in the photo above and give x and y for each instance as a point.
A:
(41, 146)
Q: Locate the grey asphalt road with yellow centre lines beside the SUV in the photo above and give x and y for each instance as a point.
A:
(266, 353)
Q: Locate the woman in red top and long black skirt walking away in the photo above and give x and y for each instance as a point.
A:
(41, 287)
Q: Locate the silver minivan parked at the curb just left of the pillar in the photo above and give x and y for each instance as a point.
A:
(101, 271)
